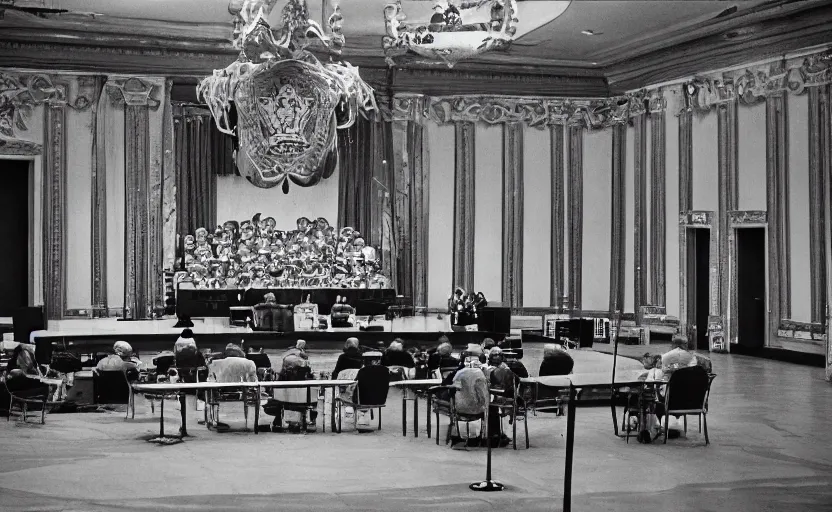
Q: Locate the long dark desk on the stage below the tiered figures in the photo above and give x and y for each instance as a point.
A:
(199, 303)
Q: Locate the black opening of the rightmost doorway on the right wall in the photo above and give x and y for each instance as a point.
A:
(751, 287)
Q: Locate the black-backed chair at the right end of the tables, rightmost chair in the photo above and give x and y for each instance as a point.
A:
(687, 393)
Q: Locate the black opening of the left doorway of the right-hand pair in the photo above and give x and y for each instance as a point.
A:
(698, 285)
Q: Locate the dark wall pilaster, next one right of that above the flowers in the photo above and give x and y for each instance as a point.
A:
(513, 215)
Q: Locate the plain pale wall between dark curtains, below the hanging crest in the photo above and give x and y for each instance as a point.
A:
(238, 199)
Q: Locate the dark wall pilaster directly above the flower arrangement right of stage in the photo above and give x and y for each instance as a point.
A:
(464, 213)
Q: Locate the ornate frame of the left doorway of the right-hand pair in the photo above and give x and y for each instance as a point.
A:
(697, 219)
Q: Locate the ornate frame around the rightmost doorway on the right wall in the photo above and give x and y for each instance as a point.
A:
(740, 219)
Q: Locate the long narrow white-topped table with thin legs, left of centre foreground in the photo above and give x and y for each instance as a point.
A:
(179, 388)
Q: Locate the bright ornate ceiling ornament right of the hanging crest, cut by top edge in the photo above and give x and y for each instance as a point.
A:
(449, 36)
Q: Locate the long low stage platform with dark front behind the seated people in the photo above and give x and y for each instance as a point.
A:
(93, 335)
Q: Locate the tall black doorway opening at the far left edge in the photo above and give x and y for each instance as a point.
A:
(14, 233)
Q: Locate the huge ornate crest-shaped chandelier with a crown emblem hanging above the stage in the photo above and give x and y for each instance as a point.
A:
(282, 103)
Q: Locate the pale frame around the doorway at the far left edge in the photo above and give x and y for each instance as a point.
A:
(35, 278)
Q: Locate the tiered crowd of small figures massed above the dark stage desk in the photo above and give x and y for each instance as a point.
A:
(254, 254)
